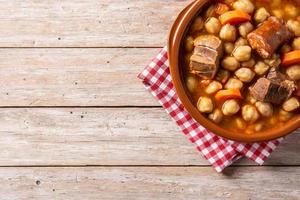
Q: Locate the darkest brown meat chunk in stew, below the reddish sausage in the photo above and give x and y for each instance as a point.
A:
(276, 88)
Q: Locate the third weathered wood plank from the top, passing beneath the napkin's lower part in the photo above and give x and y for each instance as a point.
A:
(104, 136)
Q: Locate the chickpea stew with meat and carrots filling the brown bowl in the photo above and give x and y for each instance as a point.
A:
(242, 63)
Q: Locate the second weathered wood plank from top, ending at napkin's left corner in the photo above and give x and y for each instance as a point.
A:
(74, 77)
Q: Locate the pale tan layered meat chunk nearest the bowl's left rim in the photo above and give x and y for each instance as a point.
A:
(206, 57)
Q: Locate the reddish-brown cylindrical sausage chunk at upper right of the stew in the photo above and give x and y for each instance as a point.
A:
(269, 36)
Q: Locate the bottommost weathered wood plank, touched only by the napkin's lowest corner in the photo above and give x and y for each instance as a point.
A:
(273, 183)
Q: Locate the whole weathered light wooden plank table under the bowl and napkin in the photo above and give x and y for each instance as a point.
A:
(76, 123)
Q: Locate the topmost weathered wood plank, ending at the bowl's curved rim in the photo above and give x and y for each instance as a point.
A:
(78, 23)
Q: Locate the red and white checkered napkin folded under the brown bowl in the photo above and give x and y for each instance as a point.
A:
(219, 152)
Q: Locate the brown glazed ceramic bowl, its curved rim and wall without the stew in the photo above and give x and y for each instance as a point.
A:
(177, 34)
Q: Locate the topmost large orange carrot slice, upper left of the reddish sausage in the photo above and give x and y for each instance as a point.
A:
(234, 17)
